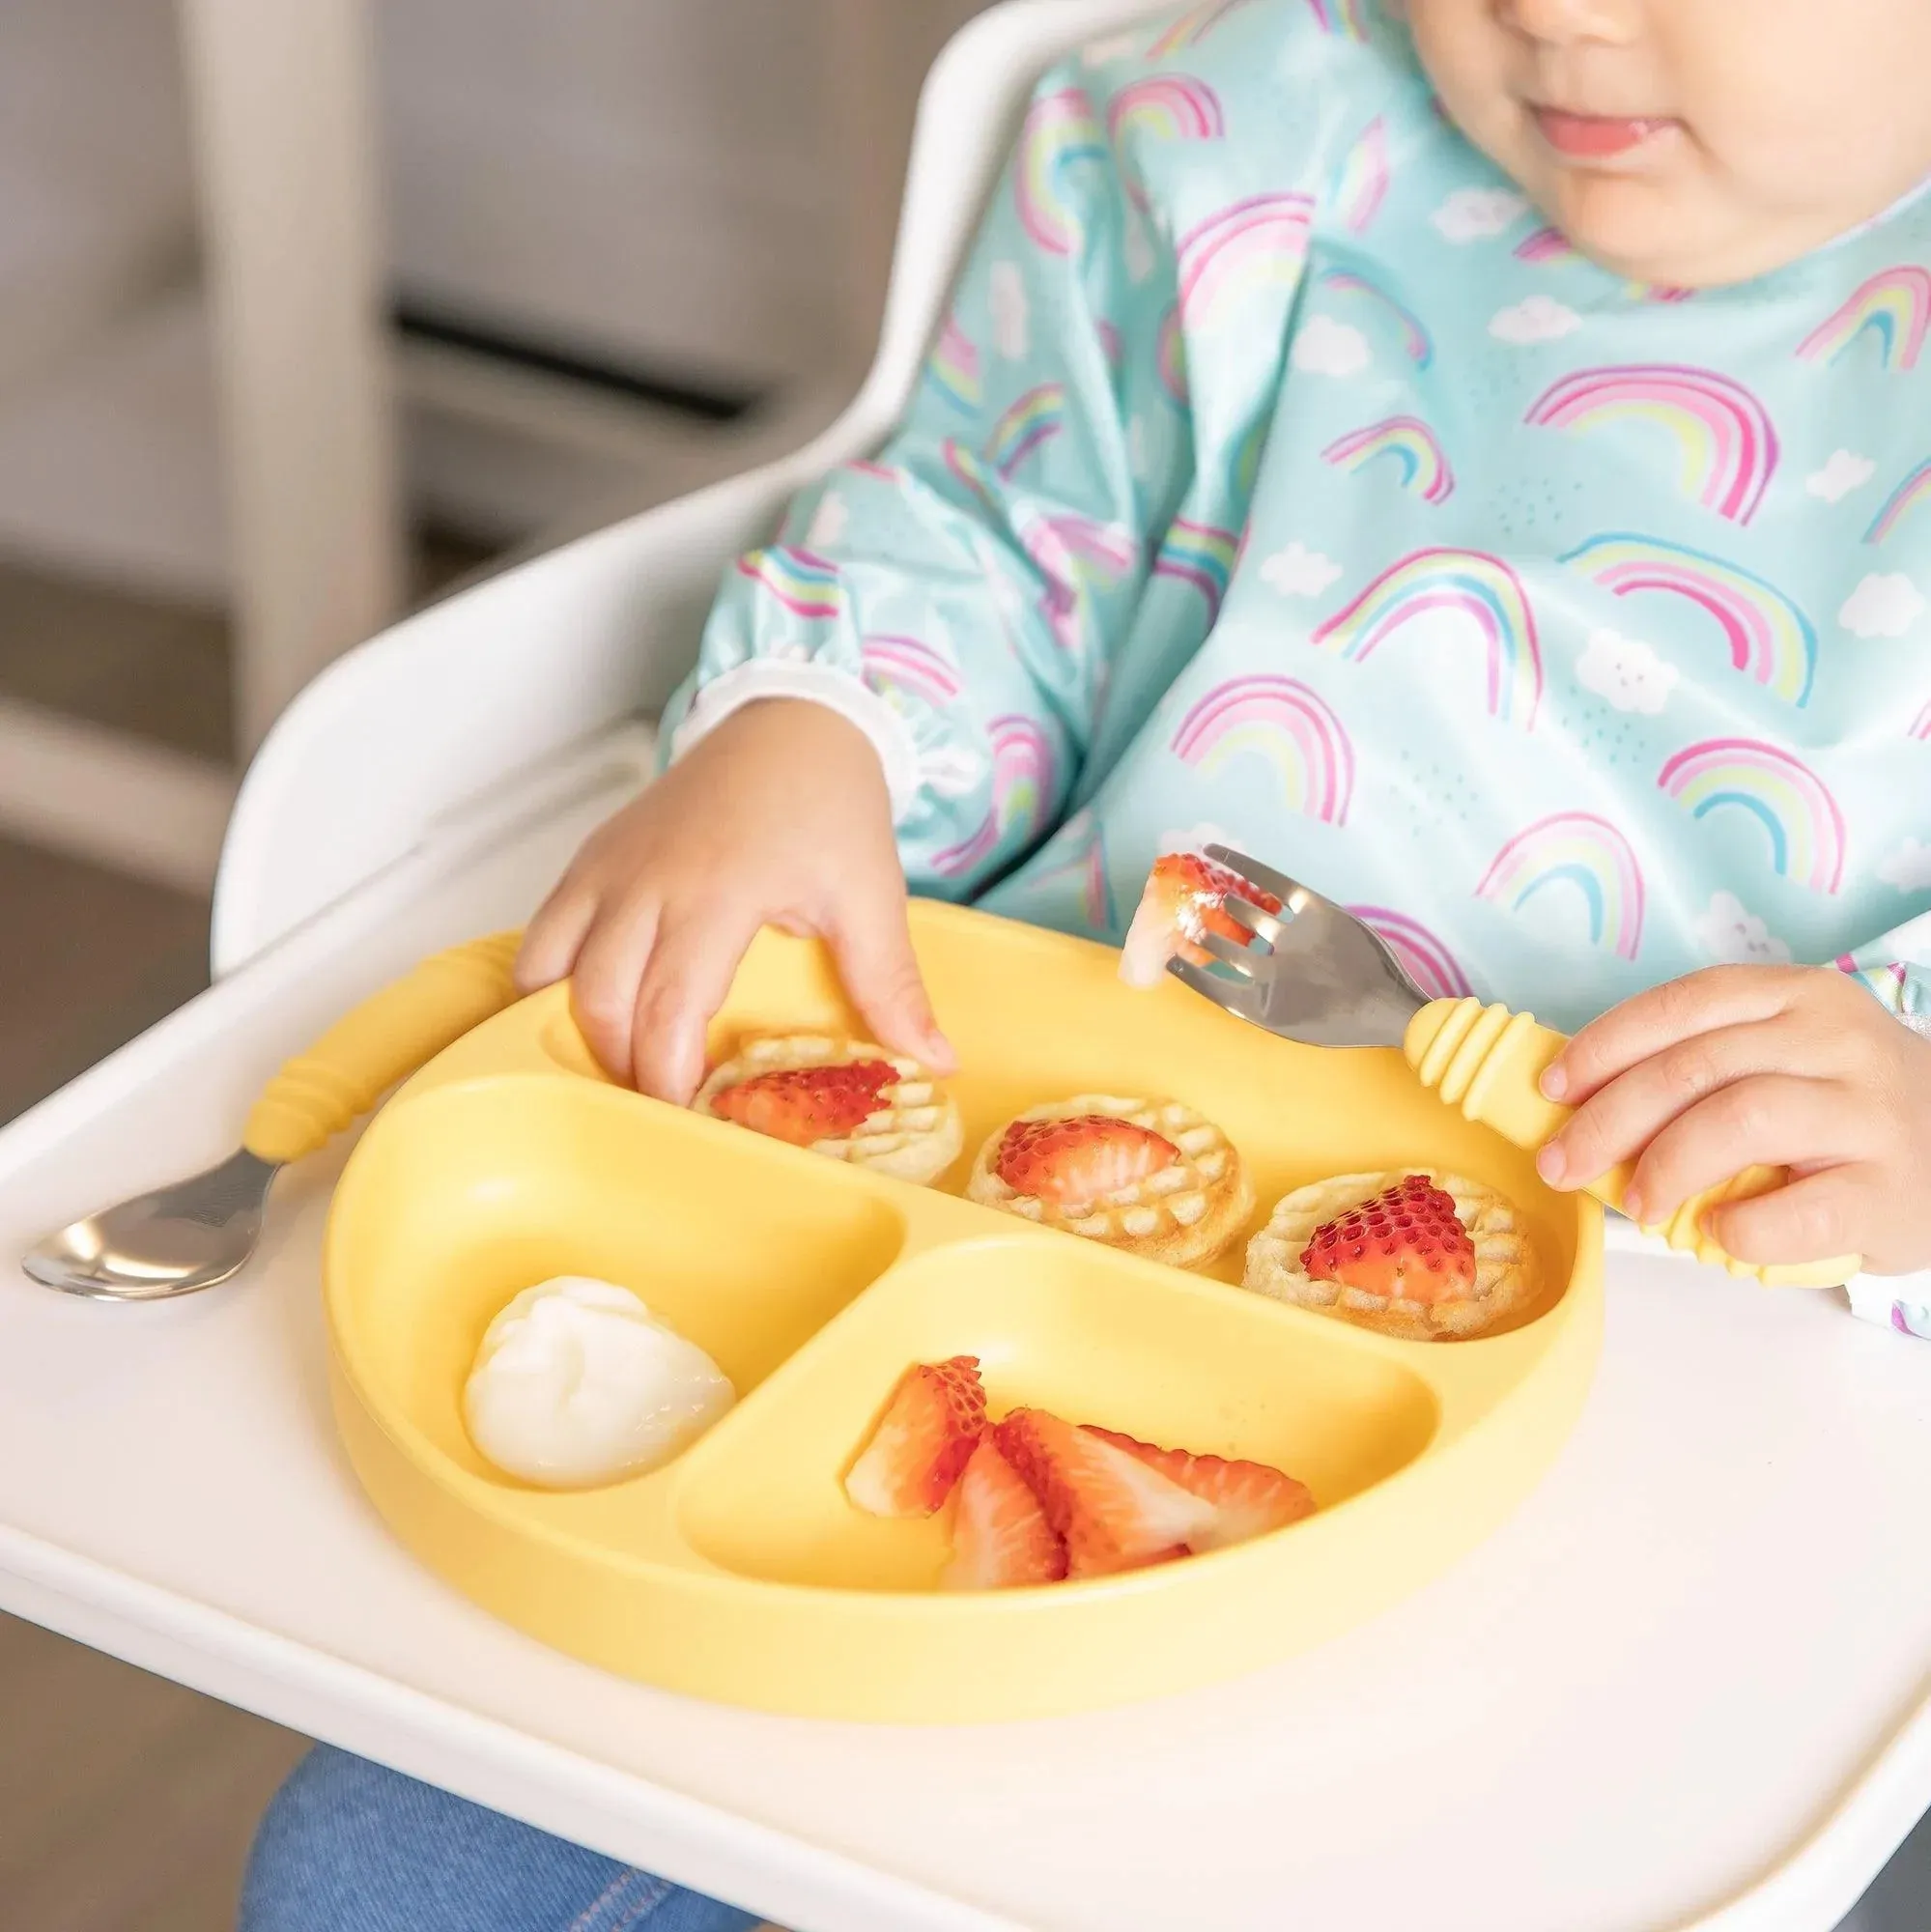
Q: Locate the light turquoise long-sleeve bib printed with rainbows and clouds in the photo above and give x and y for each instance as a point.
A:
(1281, 474)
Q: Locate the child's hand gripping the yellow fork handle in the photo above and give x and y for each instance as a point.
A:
(1795, 1067)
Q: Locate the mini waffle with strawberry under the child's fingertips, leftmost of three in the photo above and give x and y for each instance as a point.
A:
(845, 1098)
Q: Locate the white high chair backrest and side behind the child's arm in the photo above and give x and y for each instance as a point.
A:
(501, 679)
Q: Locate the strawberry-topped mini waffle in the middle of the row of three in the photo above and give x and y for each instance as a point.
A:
(1144, 1176)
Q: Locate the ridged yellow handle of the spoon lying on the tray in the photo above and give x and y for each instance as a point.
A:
(389, 1037)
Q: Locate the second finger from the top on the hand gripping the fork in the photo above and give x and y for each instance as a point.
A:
(1629, 1112)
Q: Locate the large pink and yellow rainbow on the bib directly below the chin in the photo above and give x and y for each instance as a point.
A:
(1725, 441)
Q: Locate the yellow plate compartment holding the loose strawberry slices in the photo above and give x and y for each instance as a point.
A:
(1086, 1334)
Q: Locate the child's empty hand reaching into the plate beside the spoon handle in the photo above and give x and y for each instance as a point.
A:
(779, 818)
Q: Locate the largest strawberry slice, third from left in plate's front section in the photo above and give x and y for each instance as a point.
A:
(1113, 1510)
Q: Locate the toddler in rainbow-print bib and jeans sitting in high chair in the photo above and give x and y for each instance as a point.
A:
(1474, 461)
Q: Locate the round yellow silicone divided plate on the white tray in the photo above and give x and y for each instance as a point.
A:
(741, 1572)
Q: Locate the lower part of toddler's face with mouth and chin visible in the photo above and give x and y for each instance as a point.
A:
(1693, 142)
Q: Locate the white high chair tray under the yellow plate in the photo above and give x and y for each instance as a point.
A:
(1681, 1688)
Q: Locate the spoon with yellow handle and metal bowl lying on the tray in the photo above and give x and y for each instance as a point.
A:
(200, 1232)
